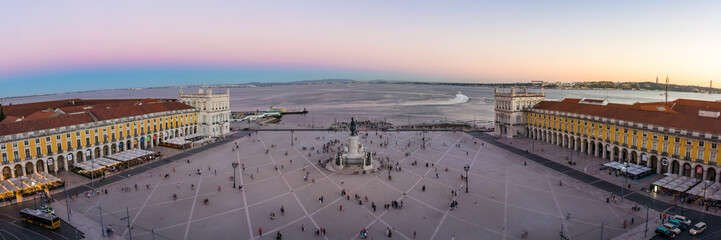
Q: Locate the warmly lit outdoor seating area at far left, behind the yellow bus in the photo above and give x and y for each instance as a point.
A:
(27, 185)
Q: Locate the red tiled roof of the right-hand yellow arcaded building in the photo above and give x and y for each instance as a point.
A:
(680, 114)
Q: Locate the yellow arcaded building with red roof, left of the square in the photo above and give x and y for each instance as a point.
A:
(51, 136)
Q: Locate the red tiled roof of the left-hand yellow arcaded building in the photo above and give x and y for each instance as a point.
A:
(78, 111)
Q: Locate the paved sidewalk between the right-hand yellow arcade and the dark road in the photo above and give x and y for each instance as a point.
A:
(591, 165)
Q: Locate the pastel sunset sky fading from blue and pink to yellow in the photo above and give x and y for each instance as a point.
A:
(60, 46)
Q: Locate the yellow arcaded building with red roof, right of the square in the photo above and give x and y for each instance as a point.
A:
(680, 137)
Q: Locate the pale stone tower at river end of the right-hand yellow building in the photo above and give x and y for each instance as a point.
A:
(510, 108)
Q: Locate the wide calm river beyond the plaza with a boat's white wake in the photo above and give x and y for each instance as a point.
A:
(395, 103)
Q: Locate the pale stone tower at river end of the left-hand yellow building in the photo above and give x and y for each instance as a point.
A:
(213, 111)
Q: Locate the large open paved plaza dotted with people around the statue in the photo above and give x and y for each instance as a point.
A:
(509, 198)
